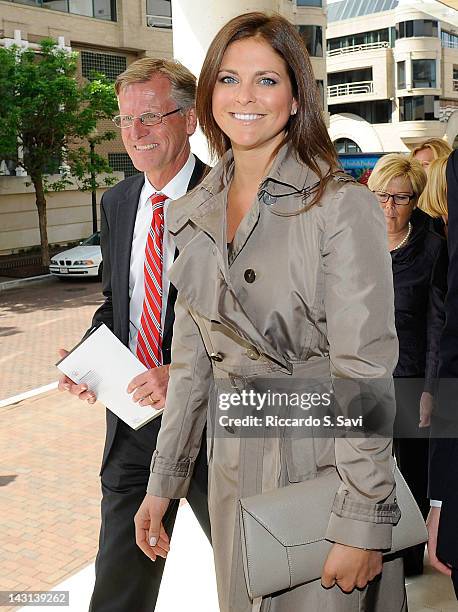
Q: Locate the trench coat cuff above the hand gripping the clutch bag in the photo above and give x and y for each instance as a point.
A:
(360, 534)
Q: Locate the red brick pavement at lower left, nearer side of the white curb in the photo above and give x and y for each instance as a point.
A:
(50, 450)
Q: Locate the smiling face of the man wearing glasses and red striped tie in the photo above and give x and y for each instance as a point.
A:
(160, 150)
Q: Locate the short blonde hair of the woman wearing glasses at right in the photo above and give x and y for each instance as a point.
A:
(393, 165)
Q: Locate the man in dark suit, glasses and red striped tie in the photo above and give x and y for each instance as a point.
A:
(157, 117)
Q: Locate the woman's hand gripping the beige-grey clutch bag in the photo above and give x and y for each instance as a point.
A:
(350, 567)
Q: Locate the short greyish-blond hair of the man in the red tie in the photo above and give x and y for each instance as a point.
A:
(182, 81)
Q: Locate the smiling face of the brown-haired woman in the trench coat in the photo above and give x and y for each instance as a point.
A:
(252, 98)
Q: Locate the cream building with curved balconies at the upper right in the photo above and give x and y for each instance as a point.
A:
(392, 74)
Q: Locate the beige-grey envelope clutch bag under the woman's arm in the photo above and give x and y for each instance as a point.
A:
(283, 532)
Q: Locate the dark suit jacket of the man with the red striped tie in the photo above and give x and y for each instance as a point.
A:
(118, 212)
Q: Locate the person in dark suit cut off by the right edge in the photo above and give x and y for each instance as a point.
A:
(443, 475)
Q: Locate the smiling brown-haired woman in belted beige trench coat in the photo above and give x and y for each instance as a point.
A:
(283, 274)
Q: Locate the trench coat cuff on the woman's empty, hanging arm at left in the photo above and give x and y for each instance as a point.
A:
(169, 478)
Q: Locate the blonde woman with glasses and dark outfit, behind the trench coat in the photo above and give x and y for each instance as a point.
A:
(419, 263)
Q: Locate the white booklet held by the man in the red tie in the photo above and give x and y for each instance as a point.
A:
(106, 366)
